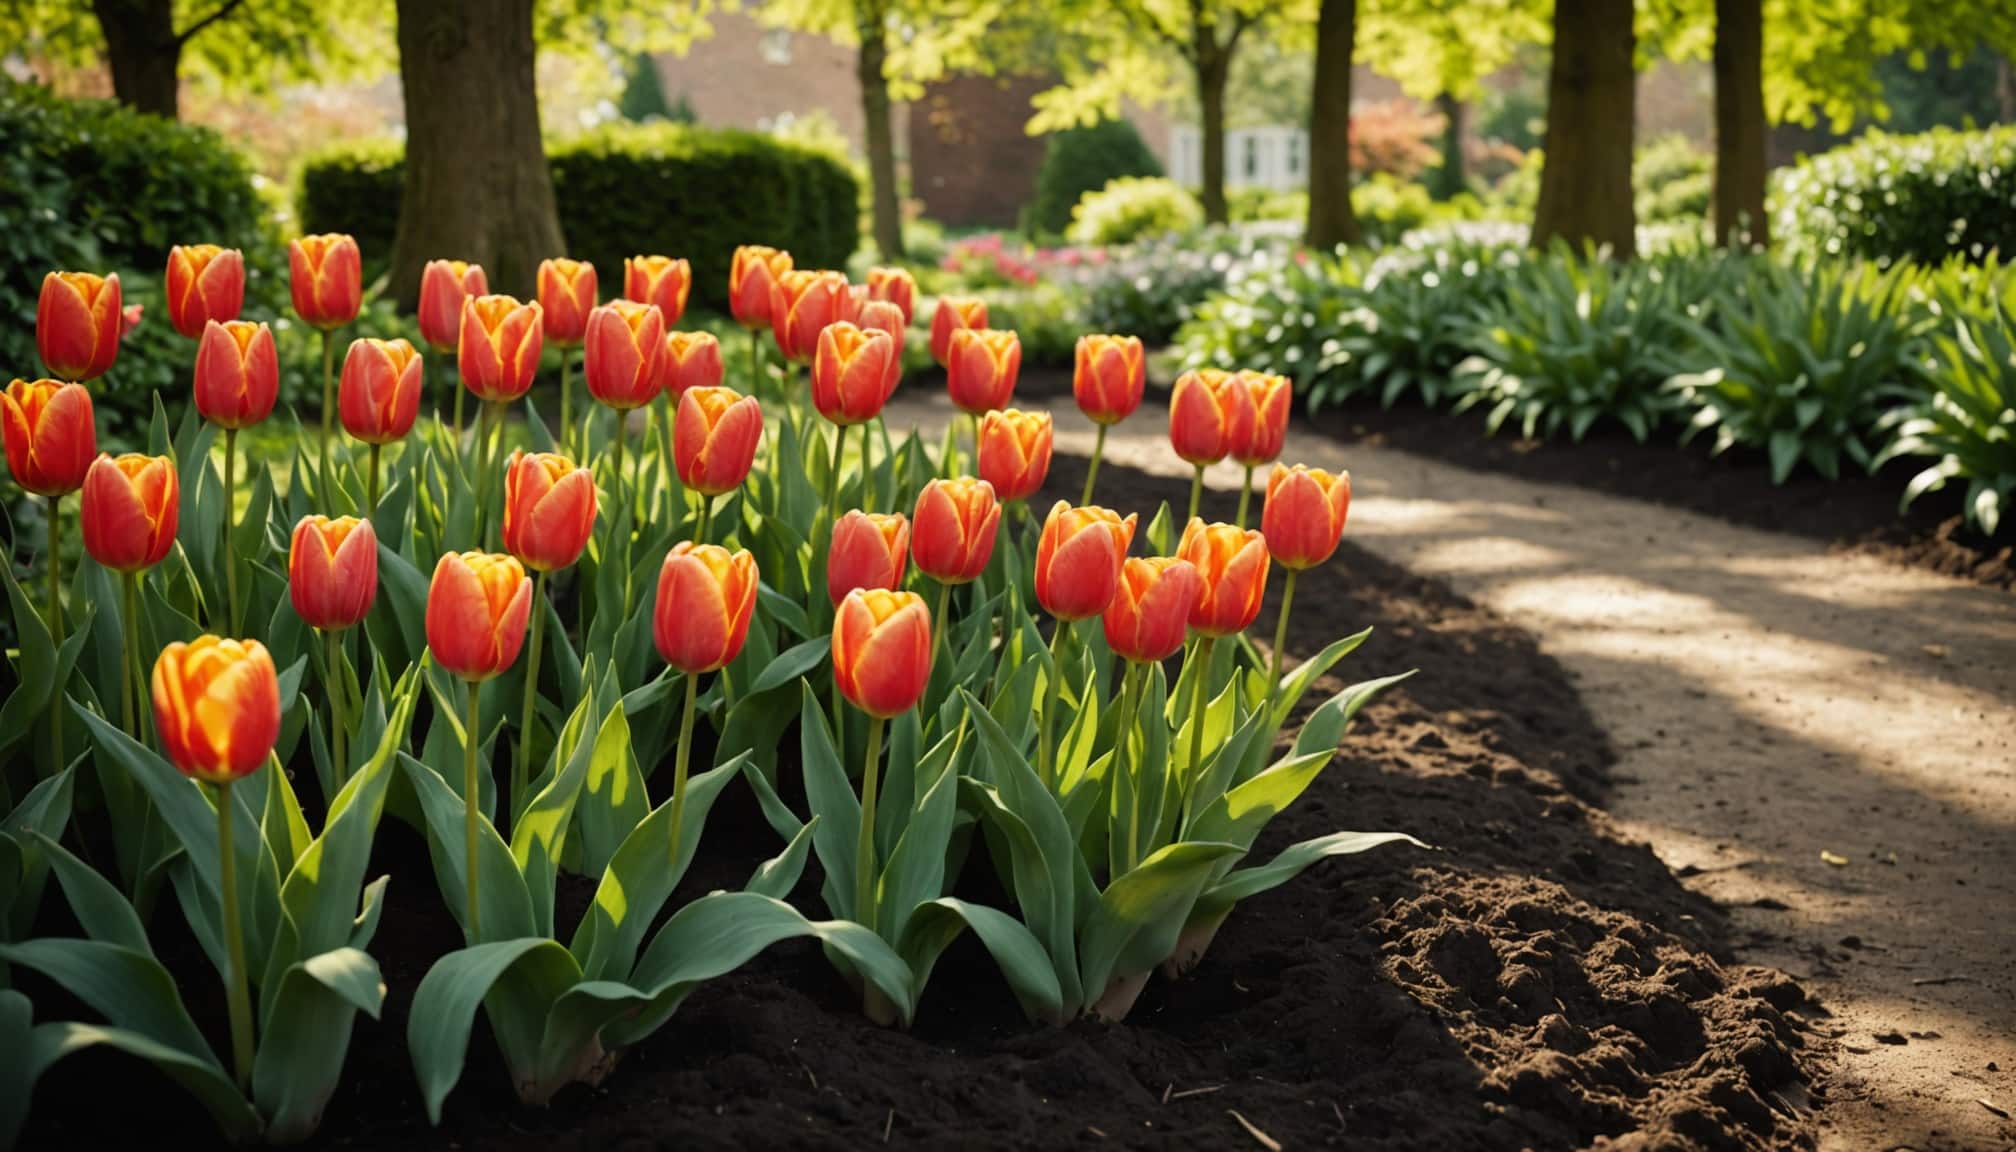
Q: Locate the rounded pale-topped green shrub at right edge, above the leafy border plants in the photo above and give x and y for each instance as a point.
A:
(1902, 199)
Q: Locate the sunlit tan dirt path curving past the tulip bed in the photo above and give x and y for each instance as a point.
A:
(1819, 741)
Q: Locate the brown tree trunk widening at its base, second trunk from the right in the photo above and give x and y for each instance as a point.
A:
(1592, 100)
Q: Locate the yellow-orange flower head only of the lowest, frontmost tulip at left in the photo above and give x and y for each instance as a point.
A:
(217, 705)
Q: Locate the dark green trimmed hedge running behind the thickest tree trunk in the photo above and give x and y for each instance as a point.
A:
(632, 189)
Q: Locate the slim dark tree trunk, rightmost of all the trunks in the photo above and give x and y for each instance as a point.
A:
(1741, 122)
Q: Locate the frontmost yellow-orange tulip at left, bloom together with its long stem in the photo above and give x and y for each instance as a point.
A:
(217, 705)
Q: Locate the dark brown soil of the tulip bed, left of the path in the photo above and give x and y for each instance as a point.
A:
(1531, 984)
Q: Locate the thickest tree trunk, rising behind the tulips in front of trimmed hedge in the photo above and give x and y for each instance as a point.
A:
(477, 181)
